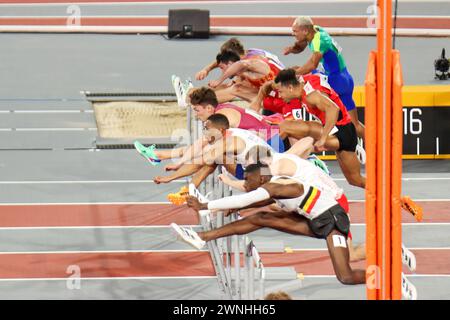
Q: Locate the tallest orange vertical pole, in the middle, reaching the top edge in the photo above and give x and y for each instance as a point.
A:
(384, 108)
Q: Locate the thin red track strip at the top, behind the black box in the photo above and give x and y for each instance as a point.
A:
(343, 22)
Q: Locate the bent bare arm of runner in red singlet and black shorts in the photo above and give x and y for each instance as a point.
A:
(323, 103)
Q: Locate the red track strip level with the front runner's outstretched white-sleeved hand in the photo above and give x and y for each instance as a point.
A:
(153, 214)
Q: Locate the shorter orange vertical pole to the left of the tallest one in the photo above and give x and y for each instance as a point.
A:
(371, 190)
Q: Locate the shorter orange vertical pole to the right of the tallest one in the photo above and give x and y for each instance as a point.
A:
(397, 144)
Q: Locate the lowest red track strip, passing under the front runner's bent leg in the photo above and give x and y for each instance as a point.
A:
(167, 264)
